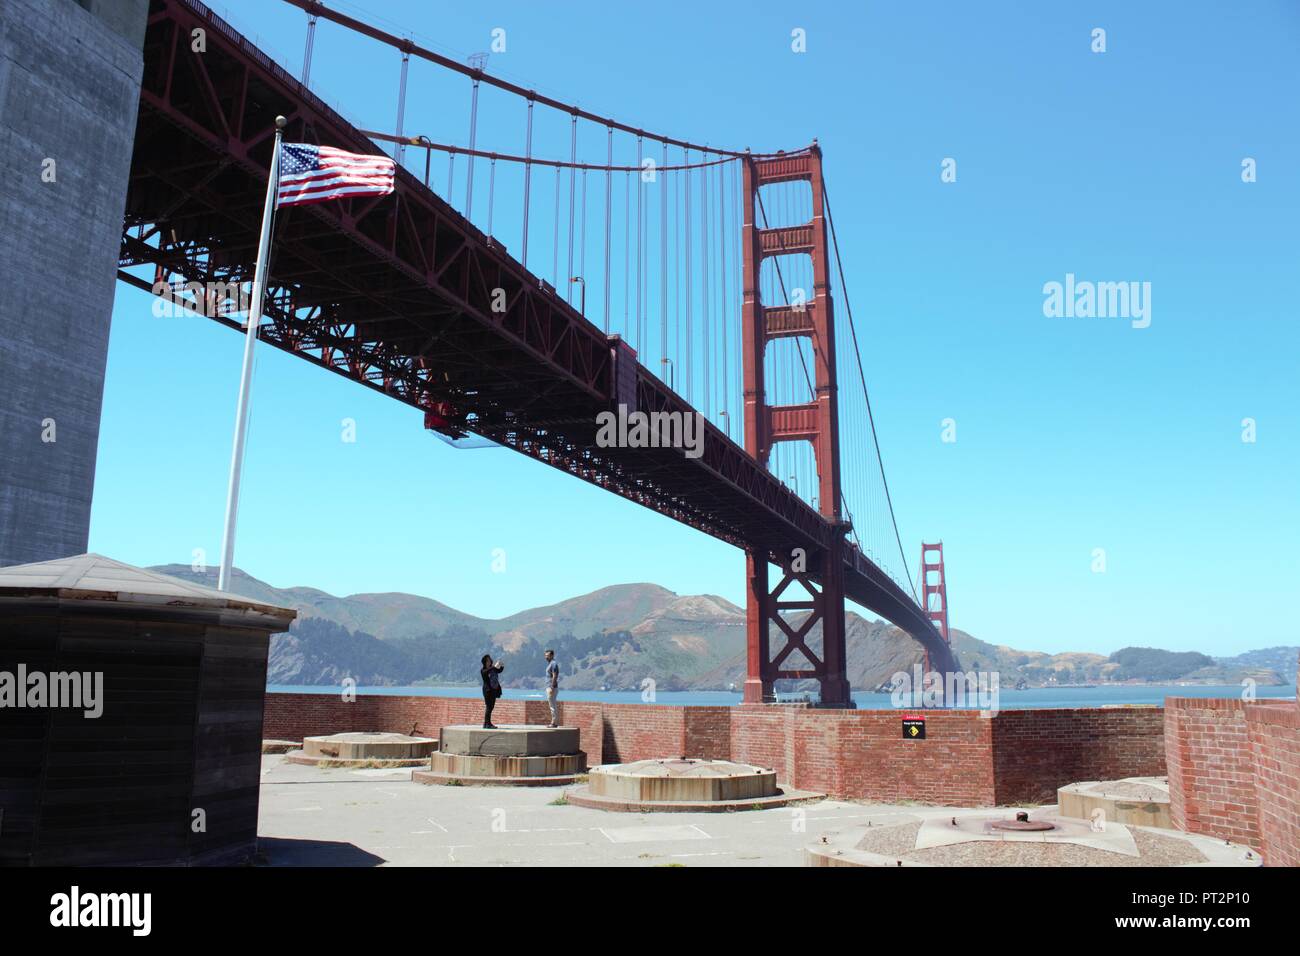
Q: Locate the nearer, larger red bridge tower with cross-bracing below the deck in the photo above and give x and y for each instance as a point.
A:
(817, 422)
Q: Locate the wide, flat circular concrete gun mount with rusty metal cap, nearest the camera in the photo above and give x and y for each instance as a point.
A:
(985, 838)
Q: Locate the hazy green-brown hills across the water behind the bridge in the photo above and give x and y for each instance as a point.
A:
(618, 637)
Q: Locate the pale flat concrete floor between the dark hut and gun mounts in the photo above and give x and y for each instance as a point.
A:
(379, 817)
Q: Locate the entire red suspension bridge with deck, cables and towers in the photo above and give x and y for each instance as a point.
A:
(588, 266)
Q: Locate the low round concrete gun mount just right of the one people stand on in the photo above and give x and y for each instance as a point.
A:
(682, 785)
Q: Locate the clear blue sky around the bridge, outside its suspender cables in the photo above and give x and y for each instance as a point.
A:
(1072, 434)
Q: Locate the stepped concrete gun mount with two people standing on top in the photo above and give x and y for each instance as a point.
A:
(505, 756)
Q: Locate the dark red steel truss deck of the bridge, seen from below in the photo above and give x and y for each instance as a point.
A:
(398, 292)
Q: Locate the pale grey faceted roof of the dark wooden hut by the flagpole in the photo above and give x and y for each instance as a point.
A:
(93, 578)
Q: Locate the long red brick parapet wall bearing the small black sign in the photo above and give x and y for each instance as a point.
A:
(1017, 756)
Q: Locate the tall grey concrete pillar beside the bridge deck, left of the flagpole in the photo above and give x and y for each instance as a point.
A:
(70, 93)
